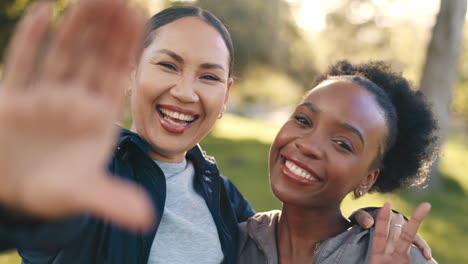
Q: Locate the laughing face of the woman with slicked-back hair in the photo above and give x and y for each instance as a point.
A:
(181, 85)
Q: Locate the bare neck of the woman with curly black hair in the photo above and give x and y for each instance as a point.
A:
(301, 229)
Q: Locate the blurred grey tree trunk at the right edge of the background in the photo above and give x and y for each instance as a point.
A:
(440, 70)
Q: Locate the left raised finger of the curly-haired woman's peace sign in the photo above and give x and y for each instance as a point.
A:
(381, 230)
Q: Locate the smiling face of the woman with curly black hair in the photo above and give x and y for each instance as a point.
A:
(326, 149)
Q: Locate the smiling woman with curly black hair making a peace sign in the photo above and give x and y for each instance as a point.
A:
(360, 129)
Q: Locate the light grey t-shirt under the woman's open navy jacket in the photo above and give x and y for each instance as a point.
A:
(187, 232)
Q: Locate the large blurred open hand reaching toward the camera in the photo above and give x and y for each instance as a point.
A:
(57, 115)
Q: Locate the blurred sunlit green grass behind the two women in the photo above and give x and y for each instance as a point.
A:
(241, 149)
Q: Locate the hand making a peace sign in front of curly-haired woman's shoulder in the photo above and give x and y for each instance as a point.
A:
(387, 249)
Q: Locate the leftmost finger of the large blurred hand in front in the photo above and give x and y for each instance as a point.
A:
(25, 46)
